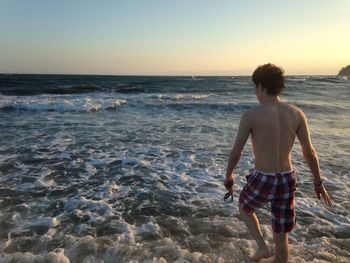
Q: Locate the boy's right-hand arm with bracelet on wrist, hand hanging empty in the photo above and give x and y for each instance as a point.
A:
(310, 156)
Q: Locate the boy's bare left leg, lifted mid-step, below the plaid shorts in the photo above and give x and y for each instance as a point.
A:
(252, 223)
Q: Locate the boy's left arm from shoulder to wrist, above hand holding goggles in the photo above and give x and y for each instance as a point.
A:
(242, 137)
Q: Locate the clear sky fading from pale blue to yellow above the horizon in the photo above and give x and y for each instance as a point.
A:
(173, 37)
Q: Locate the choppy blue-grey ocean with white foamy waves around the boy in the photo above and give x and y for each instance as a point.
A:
(131, 169)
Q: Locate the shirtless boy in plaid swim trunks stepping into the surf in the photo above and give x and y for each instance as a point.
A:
(273, 126)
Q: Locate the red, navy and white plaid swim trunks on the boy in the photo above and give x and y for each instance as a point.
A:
(277, 188)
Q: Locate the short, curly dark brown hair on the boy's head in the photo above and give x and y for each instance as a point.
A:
(270, 77)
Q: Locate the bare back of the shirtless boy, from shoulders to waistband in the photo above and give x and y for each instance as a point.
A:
(273, 130)
